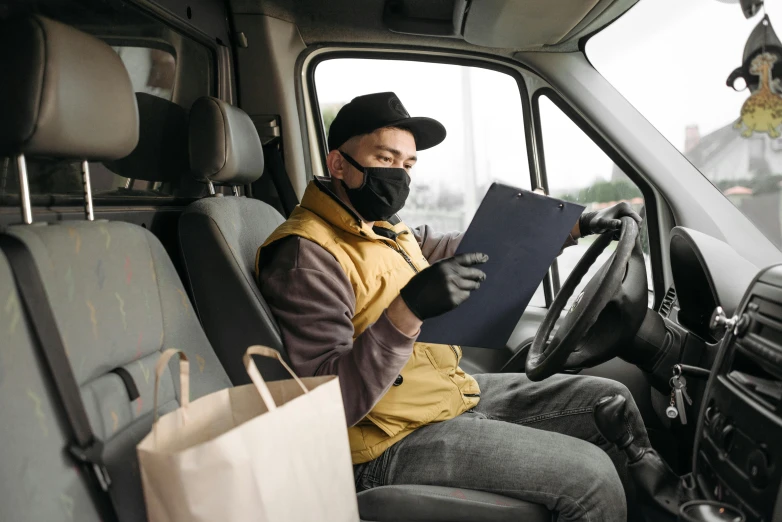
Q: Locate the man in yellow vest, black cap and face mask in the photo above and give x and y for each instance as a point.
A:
(350, 285)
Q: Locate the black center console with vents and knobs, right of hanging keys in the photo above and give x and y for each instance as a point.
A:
(738, 447)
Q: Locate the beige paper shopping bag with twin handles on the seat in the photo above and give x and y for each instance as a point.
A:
(264, 452)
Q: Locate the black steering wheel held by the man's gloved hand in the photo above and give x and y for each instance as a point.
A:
(604, 317)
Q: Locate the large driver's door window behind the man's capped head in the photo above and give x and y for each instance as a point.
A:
(482, 112)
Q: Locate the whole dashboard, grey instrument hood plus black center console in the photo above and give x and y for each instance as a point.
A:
(737, 456)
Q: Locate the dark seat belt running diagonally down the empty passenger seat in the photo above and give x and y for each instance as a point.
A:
(86, 450)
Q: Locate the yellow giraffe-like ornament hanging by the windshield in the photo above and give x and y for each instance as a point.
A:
(762, 112)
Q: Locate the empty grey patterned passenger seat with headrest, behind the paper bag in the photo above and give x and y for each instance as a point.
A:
(116, 297)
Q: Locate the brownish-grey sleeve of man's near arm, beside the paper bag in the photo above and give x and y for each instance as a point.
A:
(314, 303)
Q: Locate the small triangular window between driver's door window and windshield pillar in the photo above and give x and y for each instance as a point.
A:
(578, 170)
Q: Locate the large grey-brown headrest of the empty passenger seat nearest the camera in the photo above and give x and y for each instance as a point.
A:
(63, 93)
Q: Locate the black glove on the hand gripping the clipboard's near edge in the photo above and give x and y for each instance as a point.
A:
(443, 286)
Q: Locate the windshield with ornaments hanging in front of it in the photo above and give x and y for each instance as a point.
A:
(672, 60)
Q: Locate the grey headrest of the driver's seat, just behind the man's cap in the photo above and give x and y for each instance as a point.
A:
(224, 144)
